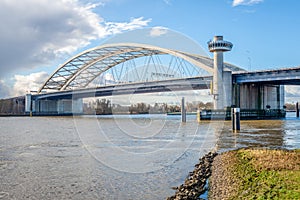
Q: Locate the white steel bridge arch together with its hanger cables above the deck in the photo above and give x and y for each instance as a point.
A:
(84, 68)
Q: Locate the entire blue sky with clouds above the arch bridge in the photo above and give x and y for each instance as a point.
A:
(38, 35)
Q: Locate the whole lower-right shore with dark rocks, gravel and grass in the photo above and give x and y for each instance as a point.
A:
(245, 173)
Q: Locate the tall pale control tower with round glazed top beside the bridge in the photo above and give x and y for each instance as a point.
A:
(221, 92)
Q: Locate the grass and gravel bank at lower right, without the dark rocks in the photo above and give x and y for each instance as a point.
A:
(256, 174)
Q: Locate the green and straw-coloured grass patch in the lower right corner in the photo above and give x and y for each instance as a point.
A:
(267, 174)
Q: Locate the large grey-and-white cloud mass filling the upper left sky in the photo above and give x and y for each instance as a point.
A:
(35, 33)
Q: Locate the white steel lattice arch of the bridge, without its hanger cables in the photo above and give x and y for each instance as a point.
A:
(82, 69)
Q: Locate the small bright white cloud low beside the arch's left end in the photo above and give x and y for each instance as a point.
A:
(26, 83)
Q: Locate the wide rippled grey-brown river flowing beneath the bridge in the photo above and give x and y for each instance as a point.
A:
(119, 156)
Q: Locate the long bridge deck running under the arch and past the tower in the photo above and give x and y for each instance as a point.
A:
(288, 76)
